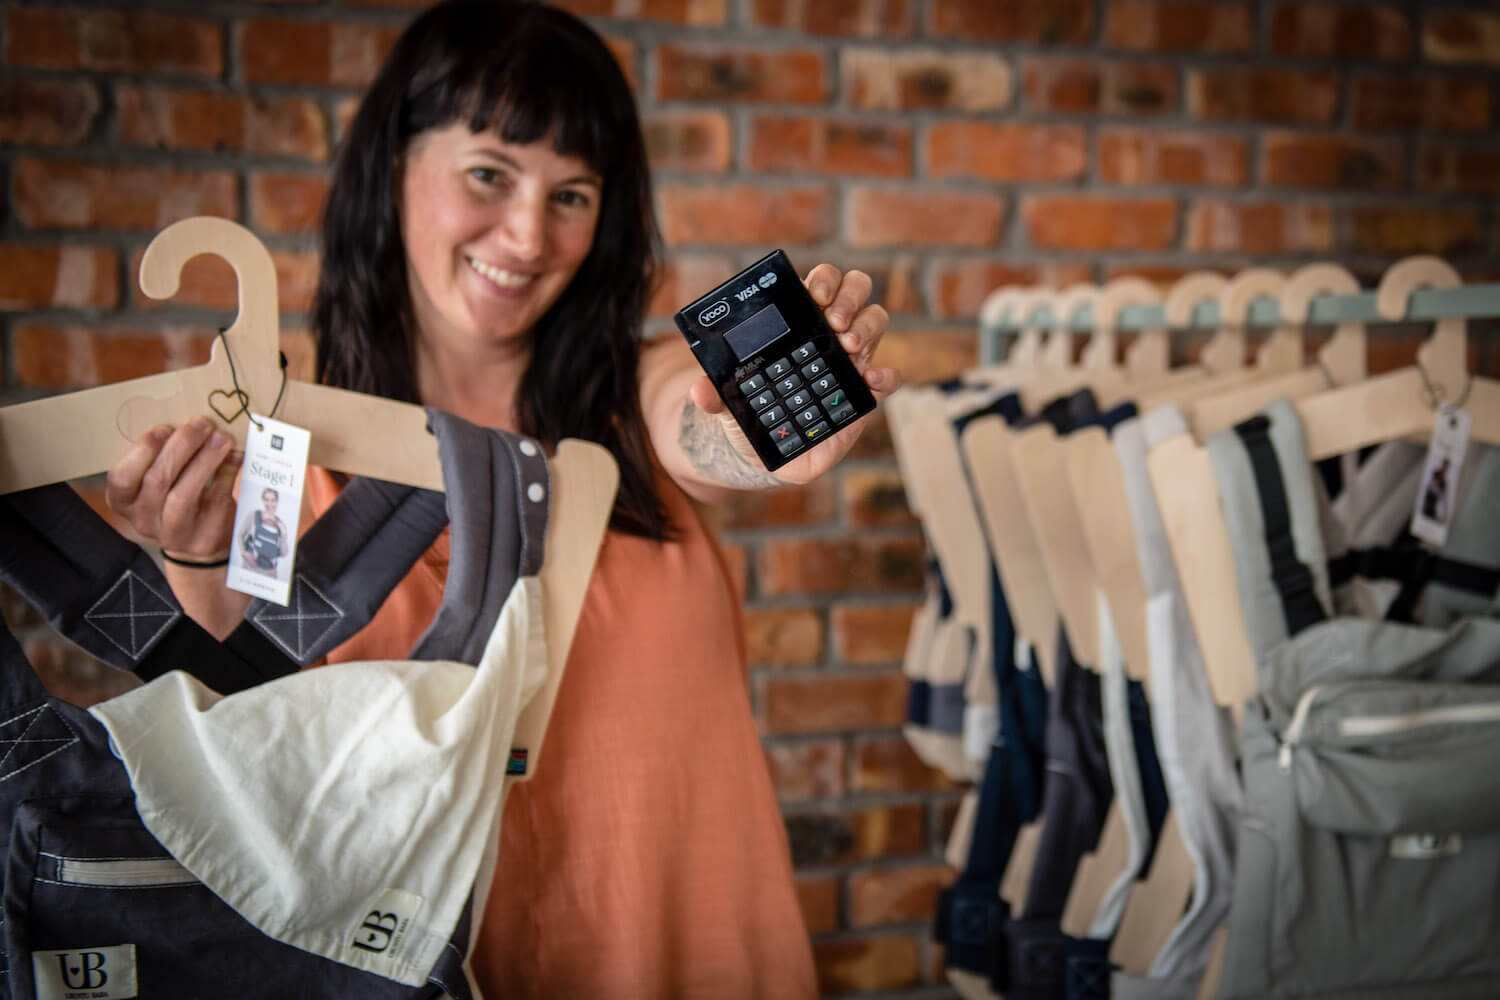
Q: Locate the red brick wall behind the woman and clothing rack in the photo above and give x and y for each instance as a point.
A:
(946, 146)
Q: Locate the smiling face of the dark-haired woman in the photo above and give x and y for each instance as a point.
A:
(494, 233)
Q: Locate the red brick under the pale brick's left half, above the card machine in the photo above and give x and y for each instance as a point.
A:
(830, 146)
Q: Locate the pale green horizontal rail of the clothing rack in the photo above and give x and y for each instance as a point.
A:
(1429, 305)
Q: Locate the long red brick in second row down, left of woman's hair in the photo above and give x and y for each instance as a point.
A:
(223, 124)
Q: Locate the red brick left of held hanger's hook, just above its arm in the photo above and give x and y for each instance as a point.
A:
(73, 358)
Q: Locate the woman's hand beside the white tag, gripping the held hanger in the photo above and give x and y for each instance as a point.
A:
(176, 488)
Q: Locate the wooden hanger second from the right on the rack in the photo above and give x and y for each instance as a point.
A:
(1340, 362)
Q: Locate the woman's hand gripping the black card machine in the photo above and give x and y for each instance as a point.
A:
(860, 326)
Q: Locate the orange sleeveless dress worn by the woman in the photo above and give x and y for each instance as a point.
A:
(647, 858)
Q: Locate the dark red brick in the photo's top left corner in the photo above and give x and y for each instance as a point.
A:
(113, 41)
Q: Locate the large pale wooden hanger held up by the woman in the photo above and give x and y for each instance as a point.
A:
(86, 433)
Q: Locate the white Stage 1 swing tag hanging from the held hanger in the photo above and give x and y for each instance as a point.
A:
(272, 482)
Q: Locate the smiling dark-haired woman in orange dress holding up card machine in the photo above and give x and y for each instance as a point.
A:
(490, 248)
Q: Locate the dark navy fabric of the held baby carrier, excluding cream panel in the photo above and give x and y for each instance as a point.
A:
(94, 903)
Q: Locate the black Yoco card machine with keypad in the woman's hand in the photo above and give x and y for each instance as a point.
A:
(775, 361)
